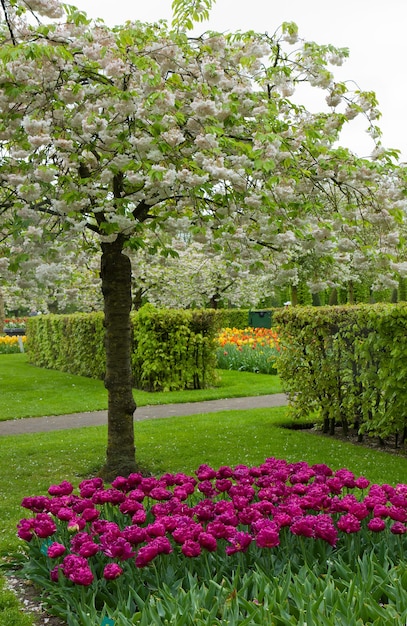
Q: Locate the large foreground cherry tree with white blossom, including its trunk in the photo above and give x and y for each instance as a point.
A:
(124, 131)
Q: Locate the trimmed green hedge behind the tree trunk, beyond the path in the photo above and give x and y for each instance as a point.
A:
(172, 349)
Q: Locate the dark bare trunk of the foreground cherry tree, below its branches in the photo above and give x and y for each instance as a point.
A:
(116, 288)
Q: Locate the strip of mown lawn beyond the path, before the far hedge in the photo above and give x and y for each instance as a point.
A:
(29, 391)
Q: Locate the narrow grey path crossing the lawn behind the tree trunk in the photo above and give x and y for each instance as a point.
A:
(97, 418)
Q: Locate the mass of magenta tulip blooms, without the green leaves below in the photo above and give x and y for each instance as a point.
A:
(227, 510)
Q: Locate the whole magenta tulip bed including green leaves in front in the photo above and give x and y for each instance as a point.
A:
(274, 544)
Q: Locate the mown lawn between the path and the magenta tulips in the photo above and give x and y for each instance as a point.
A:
(29, 464)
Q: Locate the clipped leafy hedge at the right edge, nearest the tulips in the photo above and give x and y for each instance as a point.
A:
(349, 365)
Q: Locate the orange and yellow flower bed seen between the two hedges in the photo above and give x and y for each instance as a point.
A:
(249, 350)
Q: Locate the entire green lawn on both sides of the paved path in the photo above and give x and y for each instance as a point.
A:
(29, 464)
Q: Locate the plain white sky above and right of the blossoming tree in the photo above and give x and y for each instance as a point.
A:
(373, 30)
